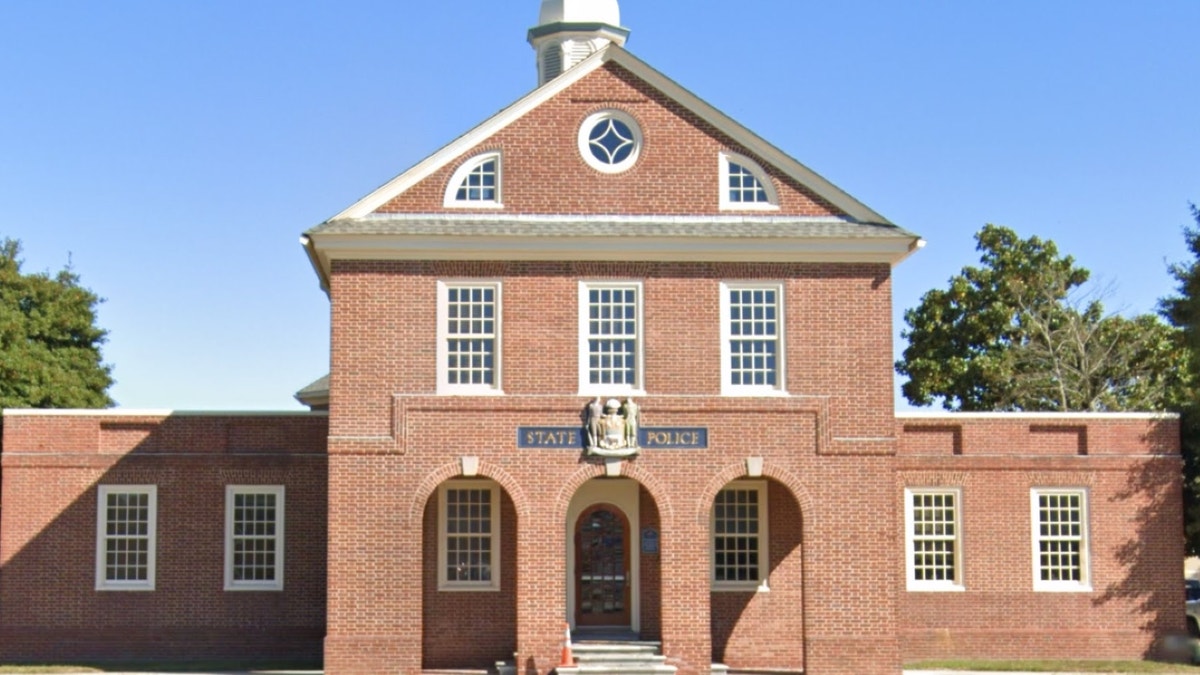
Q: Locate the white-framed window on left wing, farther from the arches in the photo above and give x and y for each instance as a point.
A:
(127, 518)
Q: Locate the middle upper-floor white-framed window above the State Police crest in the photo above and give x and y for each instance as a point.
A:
(610, 338)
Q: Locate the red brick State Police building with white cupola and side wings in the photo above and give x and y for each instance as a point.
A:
(609, 360)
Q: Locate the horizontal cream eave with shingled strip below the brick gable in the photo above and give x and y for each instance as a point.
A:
(613, 240)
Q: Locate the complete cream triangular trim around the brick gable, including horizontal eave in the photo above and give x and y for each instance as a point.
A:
(856, 234)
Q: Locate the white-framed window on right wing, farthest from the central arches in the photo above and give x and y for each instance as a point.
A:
(1060, 540)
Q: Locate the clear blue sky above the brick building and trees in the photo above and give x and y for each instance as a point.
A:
(176, 151)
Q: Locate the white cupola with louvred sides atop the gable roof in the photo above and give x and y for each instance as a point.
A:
(571, 31)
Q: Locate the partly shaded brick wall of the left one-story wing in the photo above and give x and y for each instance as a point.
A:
(53, 467)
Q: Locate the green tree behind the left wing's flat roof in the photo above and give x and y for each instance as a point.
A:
(50, 344)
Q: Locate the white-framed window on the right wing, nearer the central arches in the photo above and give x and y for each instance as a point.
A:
(934, 539)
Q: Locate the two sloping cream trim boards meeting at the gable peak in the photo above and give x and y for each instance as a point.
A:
(615, 55)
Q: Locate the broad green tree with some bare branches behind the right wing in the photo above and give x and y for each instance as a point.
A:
(1019, 333)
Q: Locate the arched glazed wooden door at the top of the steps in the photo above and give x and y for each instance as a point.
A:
(603, 568)
